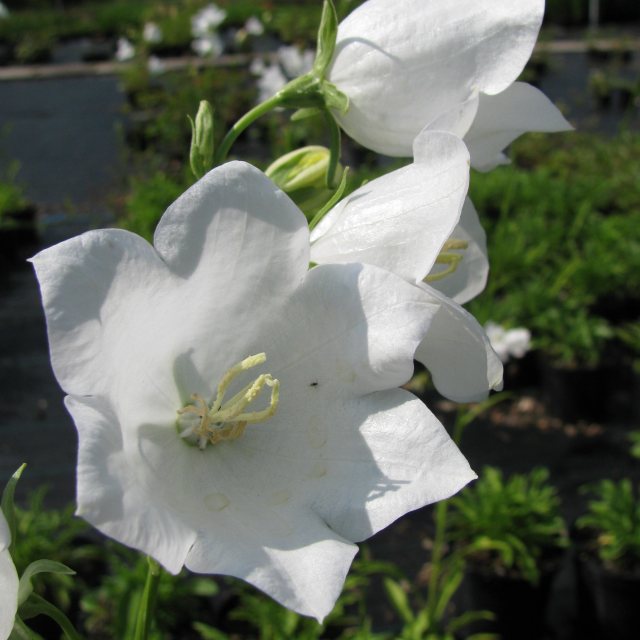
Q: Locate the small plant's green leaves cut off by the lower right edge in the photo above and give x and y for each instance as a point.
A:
(614, 518)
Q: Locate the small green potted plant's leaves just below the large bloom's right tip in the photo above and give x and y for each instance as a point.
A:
(511, 525)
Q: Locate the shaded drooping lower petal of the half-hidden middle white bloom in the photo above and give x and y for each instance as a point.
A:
(458, 354)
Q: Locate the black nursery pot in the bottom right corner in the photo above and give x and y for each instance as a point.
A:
(608, 603)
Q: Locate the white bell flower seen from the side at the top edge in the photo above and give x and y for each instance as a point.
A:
(407, 64)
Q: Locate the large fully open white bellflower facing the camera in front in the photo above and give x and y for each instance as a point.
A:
(238, 413)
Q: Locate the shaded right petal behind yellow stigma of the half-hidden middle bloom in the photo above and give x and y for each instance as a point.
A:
(470, 276)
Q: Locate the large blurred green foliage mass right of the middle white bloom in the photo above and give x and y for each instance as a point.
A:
(564, 243)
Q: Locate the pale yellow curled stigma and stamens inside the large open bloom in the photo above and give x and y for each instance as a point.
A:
(201, 424)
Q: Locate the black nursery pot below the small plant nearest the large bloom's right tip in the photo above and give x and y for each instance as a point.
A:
(519, 606)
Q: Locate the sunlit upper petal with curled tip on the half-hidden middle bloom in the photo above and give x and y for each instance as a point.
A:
(400, 220)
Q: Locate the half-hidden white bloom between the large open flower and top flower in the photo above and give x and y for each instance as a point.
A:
(405, 221)
